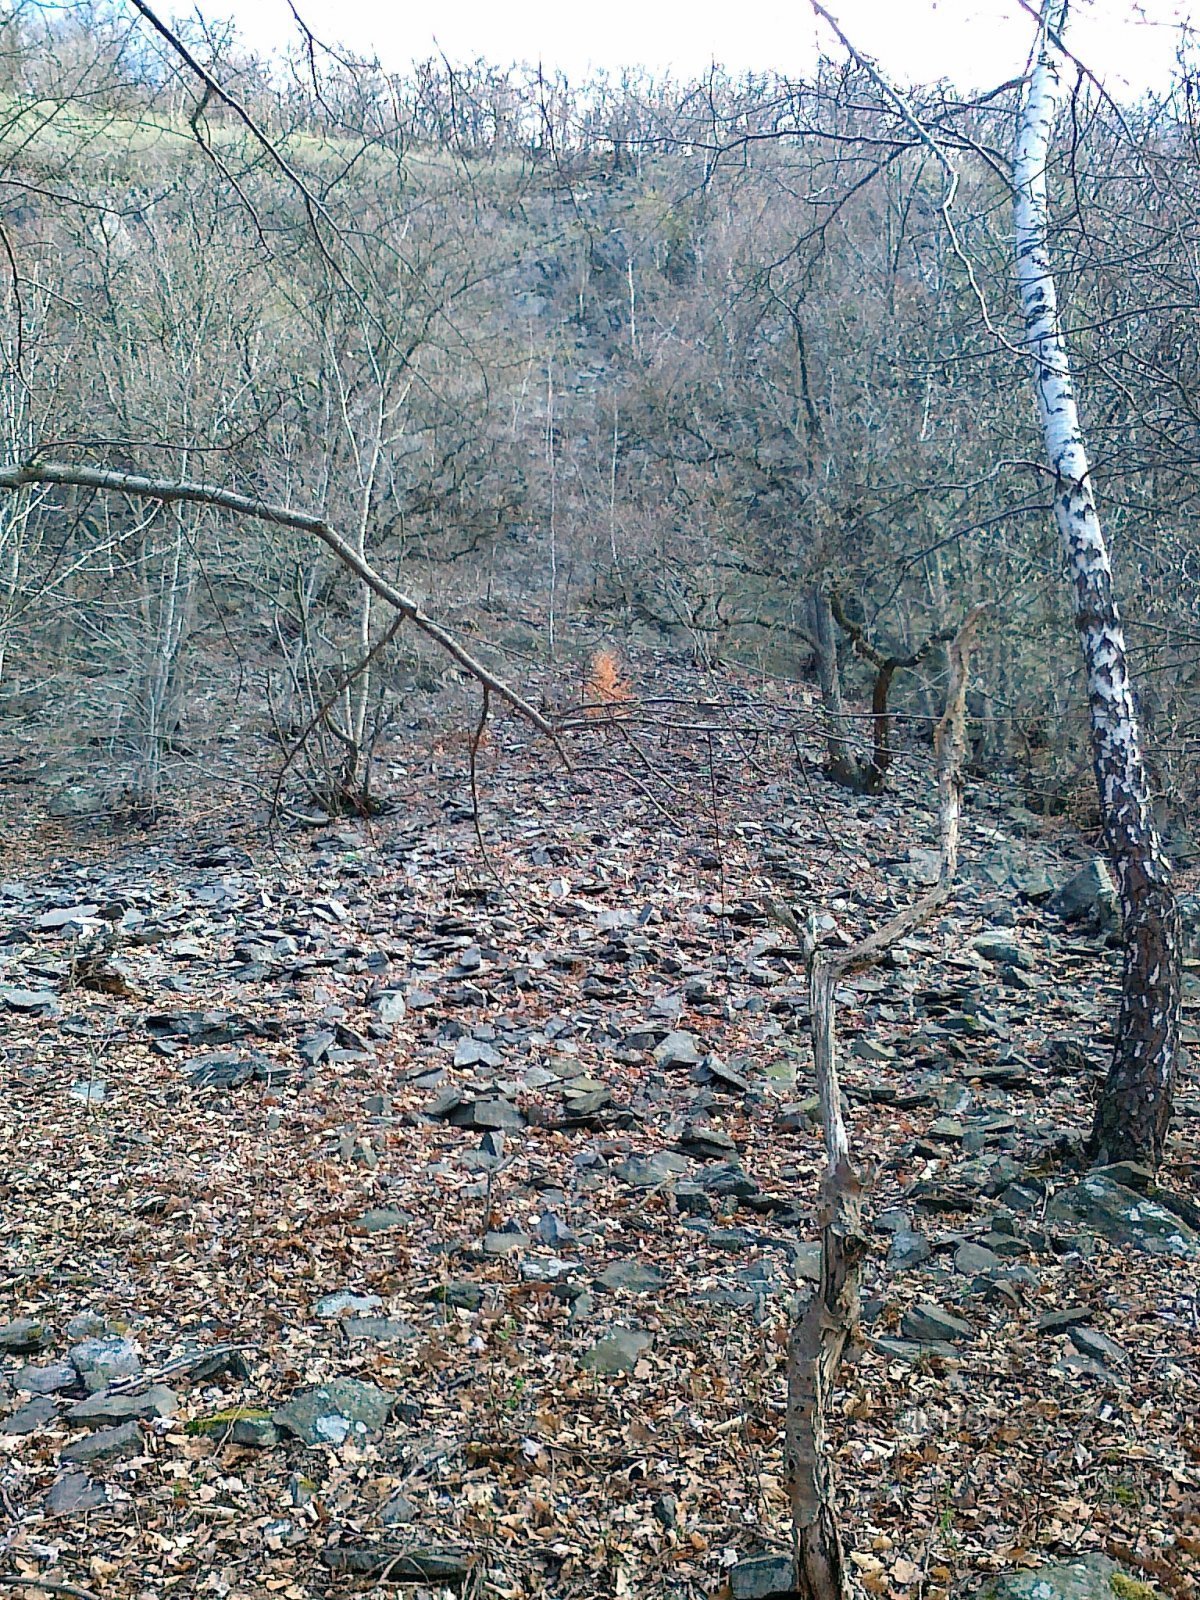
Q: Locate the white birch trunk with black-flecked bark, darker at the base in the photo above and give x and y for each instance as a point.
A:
(1135, 1106)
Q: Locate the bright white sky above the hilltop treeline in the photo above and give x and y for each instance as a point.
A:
(977, 44)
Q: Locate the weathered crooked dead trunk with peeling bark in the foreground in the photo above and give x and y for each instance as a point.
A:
(828, 1321)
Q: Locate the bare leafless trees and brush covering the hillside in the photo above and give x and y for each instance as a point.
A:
(633, 359)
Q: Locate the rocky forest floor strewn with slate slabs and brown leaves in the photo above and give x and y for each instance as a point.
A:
(409, 1206)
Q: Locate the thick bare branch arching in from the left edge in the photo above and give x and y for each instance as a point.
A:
(170, 490)
